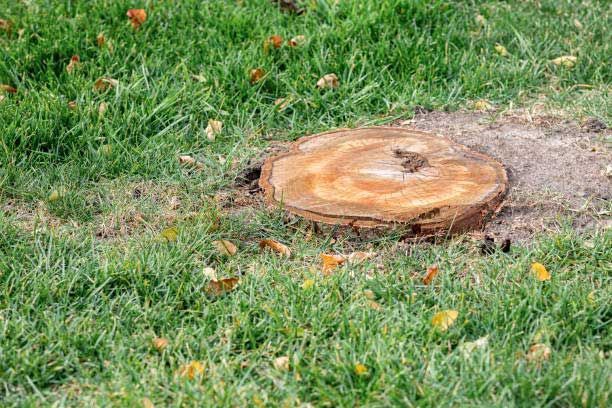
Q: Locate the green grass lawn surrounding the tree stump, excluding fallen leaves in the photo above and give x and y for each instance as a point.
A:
(84, 287)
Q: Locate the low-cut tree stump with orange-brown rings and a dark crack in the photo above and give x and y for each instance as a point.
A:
(382, 177)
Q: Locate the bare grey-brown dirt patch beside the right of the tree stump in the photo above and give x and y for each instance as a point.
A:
(557, 168)
